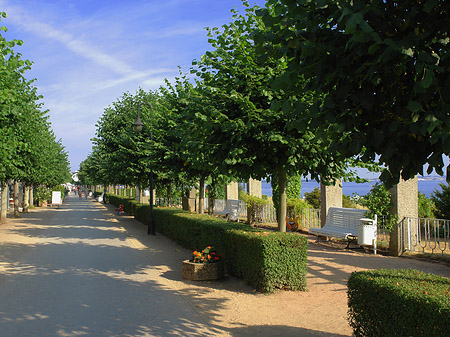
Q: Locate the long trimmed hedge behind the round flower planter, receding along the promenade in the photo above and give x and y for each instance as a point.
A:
(266, 260)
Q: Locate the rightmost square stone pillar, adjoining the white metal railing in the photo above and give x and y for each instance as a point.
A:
(404, 204)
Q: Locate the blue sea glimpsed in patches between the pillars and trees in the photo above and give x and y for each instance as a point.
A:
(426, 186)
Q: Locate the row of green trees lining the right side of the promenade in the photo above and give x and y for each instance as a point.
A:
(297, 88)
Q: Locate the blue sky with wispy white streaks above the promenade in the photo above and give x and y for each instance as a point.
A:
(87, 53)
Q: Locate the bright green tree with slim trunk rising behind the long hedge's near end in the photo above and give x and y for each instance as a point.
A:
(254, 125)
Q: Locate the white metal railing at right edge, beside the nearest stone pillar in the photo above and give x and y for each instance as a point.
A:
(431, 236)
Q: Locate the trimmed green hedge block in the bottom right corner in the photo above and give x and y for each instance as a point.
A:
(398, 302)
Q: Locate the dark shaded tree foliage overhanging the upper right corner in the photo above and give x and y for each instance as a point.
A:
(381, 69)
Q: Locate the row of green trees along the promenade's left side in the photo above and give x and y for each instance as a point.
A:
(29, 150)
